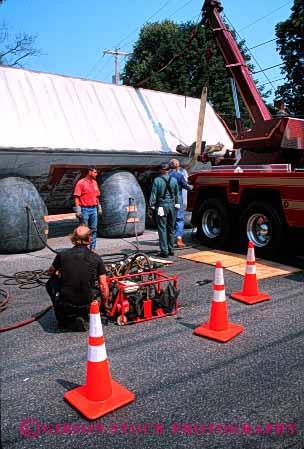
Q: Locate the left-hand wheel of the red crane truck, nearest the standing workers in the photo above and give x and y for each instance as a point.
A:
(213, 224)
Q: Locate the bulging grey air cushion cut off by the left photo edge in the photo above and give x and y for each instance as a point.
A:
(21, 217)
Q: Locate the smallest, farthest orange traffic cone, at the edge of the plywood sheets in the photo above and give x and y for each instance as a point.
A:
(250, 293)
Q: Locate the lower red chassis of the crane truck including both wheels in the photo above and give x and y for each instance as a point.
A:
(261, 204)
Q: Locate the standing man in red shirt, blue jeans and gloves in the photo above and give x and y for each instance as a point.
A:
(87, 205)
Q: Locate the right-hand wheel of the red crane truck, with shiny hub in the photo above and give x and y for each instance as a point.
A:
(262, 224)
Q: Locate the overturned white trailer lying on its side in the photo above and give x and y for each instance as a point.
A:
(53, 126)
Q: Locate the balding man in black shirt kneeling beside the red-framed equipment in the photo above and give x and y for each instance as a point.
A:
(72, 283)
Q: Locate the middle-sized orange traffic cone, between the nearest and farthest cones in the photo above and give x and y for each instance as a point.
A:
(218, 327)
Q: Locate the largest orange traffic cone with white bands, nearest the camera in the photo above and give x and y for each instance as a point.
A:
(101, 394)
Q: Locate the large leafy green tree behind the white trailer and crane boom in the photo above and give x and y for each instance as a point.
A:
(159, 43)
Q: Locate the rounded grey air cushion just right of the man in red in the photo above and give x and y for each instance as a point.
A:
(123, 205)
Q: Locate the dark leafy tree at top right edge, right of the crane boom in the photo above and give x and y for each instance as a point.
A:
(290, 44)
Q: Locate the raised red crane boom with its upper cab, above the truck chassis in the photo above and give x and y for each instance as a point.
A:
(270, 139)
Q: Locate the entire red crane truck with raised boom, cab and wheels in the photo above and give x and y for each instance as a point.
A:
(247, 201)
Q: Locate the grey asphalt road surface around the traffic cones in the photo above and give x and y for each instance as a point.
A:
(190, 392)
